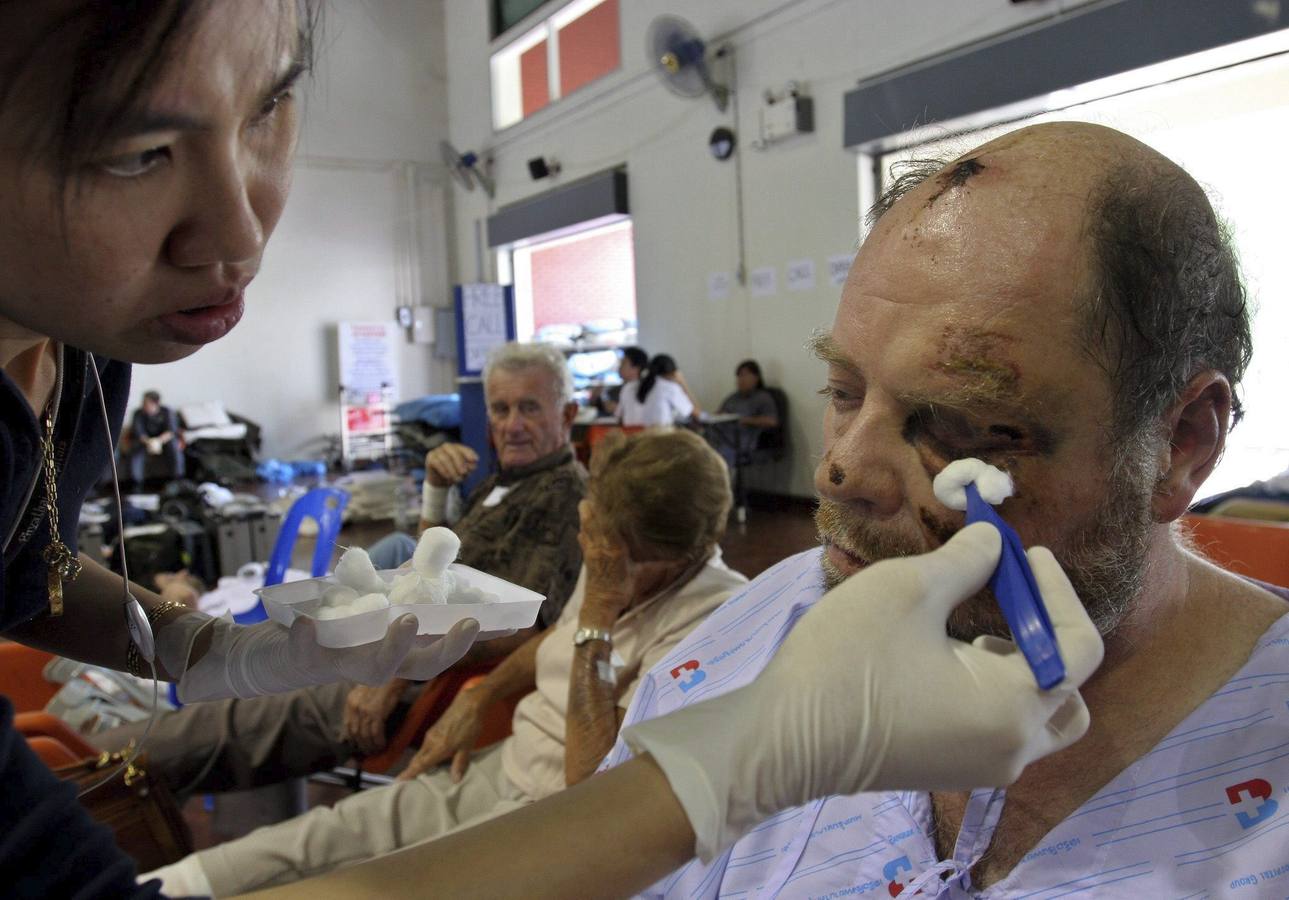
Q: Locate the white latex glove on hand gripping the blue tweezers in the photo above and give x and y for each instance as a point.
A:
(869, 693)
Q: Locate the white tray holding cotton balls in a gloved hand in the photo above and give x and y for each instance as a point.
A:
(516, 608)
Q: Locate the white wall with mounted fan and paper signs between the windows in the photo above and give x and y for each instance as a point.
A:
(801, 197)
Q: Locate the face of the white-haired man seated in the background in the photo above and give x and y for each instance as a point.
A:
(525, 416)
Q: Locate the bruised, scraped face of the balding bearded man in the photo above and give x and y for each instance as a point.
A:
(958, 336)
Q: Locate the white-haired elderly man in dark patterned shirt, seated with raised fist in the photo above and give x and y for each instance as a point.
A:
(520, 524)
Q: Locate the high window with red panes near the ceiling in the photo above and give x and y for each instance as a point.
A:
(577, 46)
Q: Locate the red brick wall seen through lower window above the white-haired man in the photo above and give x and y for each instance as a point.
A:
(594, 278)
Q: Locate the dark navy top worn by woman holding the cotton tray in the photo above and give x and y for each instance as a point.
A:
(50, 846)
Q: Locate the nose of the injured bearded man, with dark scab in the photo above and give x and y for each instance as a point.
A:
(860, 467)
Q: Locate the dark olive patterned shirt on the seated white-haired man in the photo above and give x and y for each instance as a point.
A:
(530, 537)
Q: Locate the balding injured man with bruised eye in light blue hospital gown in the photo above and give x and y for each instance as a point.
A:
(1063, 305)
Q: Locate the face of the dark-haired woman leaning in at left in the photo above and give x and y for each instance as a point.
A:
(160, 235)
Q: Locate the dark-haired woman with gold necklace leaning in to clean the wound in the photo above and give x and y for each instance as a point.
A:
(145, 158)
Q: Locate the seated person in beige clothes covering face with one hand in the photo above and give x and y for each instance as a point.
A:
(650, 529)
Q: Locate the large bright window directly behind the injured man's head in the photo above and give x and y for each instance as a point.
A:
(1212, 124)
